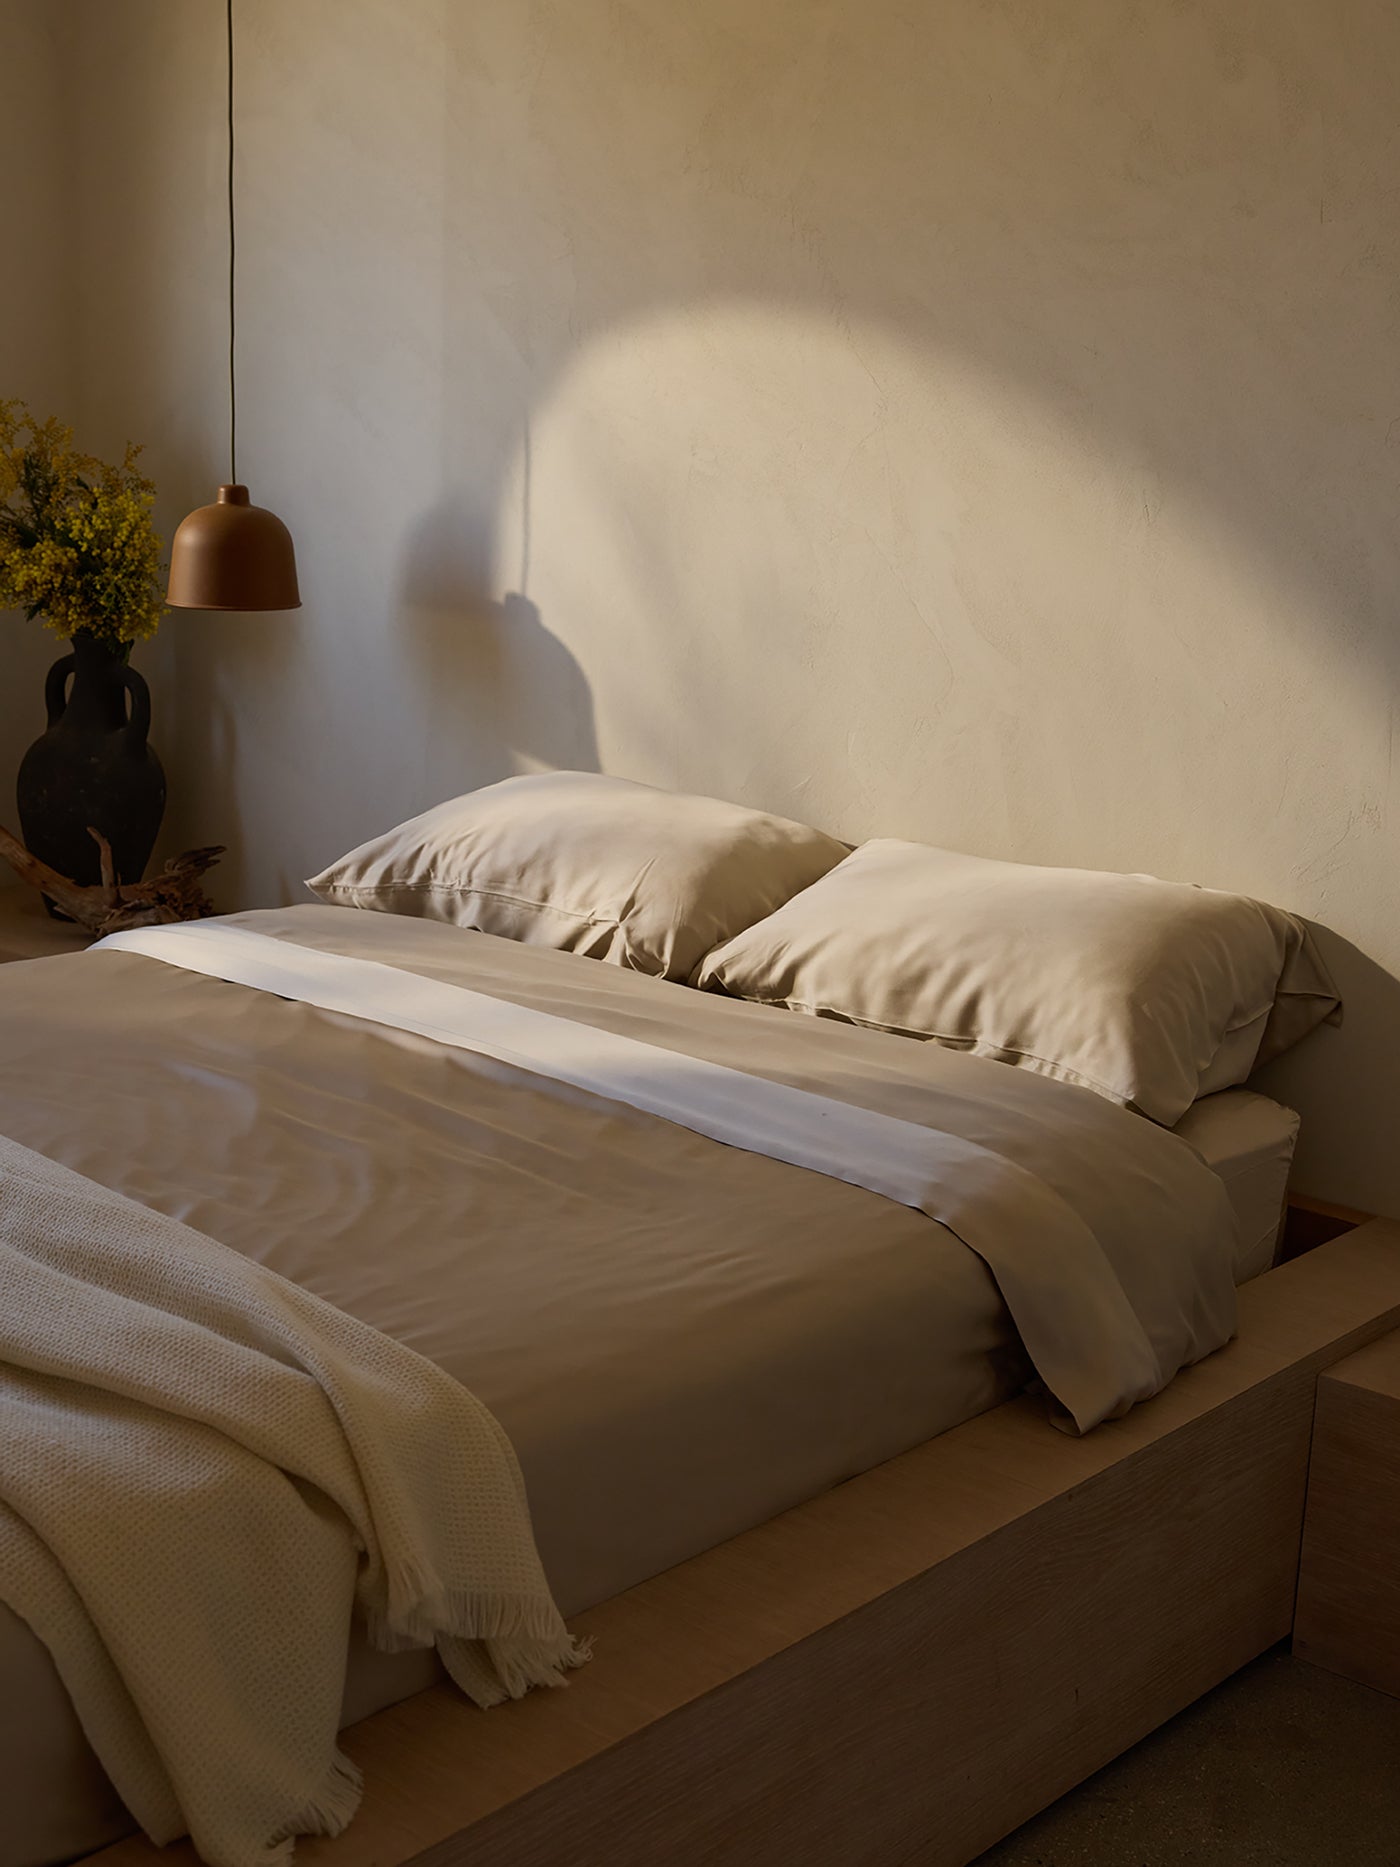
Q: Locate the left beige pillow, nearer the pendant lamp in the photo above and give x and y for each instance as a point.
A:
(617, 871)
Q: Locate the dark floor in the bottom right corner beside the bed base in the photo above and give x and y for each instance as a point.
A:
(1281, 1767)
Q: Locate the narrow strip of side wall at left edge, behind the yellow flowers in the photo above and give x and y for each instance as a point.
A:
(36, 303)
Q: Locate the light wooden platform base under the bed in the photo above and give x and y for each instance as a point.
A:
(910, 1666)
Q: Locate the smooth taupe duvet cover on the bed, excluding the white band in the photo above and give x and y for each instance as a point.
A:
(680, 1340)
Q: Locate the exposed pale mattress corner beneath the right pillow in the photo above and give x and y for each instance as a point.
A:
(1248, 1142)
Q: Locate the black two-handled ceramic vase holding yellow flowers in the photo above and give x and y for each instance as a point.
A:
(92, 768)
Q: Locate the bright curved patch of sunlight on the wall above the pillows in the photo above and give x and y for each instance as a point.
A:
(817, 567)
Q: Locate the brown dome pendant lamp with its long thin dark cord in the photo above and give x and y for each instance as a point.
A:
(232, 555)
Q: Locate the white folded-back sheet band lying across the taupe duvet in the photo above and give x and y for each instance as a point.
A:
(1099, 1334)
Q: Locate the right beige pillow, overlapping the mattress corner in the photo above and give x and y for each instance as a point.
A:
(1147, 992)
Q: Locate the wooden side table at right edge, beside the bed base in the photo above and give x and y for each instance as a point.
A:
(1349, 1586)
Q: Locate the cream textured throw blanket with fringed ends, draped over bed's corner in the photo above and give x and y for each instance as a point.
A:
(203, 1472)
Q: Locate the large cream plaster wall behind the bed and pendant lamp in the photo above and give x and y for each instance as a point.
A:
(975, 423)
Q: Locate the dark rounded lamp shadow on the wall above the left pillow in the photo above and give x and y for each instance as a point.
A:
(503, 692)
